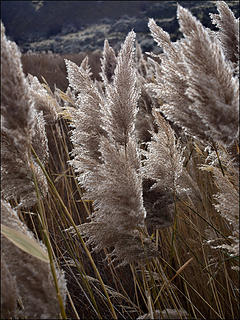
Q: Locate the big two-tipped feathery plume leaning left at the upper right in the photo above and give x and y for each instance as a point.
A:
(196, 83)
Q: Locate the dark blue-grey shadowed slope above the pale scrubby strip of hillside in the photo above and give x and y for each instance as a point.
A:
(25, 22)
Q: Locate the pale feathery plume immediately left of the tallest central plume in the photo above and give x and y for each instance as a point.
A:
(86, 117)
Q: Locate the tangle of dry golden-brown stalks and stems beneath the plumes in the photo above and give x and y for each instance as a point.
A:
(185, 276)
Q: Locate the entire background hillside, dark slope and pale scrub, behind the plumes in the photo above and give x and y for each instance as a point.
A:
(75, 26)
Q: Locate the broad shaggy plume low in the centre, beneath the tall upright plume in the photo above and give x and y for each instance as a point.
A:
(118, 211)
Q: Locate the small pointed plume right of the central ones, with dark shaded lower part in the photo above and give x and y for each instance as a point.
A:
(162, 168)
